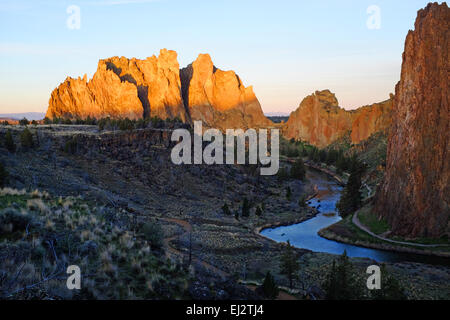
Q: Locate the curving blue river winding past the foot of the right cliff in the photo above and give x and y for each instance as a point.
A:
(304, 235)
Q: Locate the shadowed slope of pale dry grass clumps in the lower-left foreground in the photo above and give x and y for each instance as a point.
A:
(41, 236)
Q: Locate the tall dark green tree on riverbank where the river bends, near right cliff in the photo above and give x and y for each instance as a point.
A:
(351, 197)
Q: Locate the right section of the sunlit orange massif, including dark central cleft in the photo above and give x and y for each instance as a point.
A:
(219, 98)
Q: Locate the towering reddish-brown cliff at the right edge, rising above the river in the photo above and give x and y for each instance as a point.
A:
(414, 196)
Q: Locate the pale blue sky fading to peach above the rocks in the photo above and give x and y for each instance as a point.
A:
(285, 49)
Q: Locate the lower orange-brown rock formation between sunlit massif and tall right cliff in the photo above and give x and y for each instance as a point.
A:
(319, 120)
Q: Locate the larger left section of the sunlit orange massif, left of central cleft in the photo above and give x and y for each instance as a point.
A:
(122, 88)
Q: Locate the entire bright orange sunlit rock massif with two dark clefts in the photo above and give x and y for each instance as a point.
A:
(136, 88)
